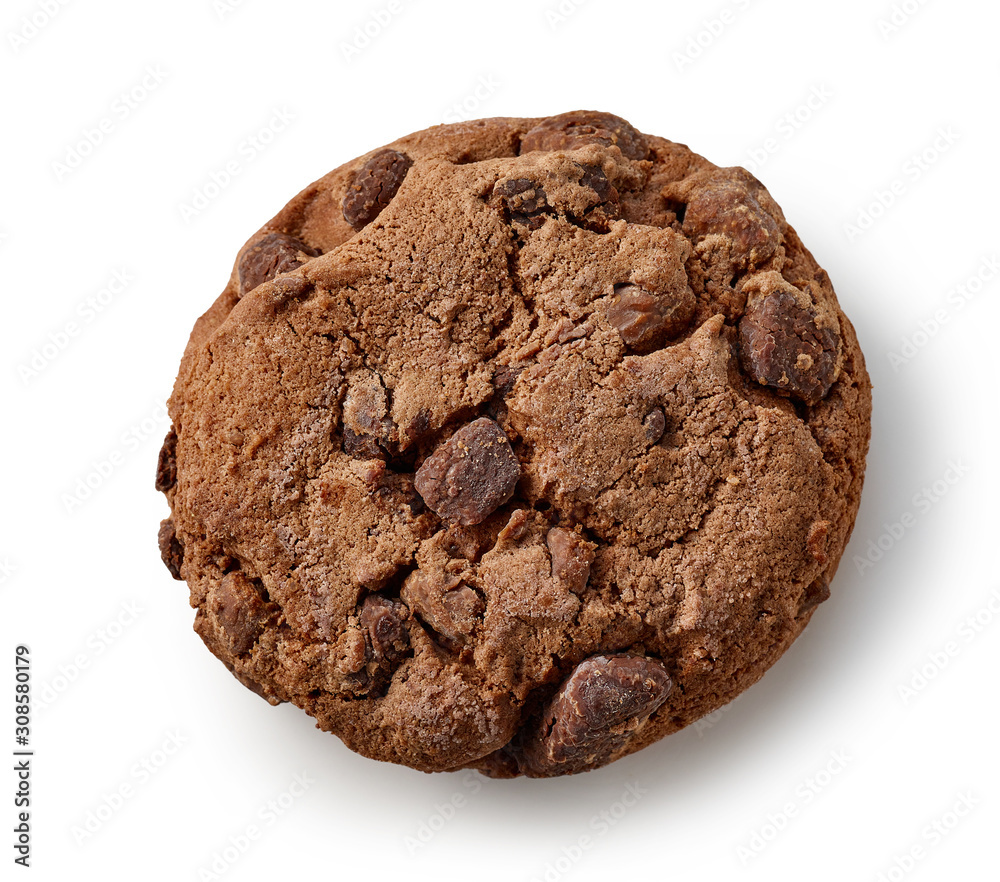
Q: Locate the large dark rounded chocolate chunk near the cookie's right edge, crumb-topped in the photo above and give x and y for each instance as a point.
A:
(781, 345)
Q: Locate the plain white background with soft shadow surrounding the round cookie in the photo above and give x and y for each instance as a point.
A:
(754, 792)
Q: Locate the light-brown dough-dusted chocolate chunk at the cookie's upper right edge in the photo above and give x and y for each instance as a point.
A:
(724, 203)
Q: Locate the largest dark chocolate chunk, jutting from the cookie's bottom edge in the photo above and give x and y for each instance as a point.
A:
(604, 701)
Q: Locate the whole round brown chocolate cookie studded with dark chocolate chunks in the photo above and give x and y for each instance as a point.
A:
(515, 445)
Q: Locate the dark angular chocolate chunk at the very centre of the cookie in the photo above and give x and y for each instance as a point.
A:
(470, 475)
